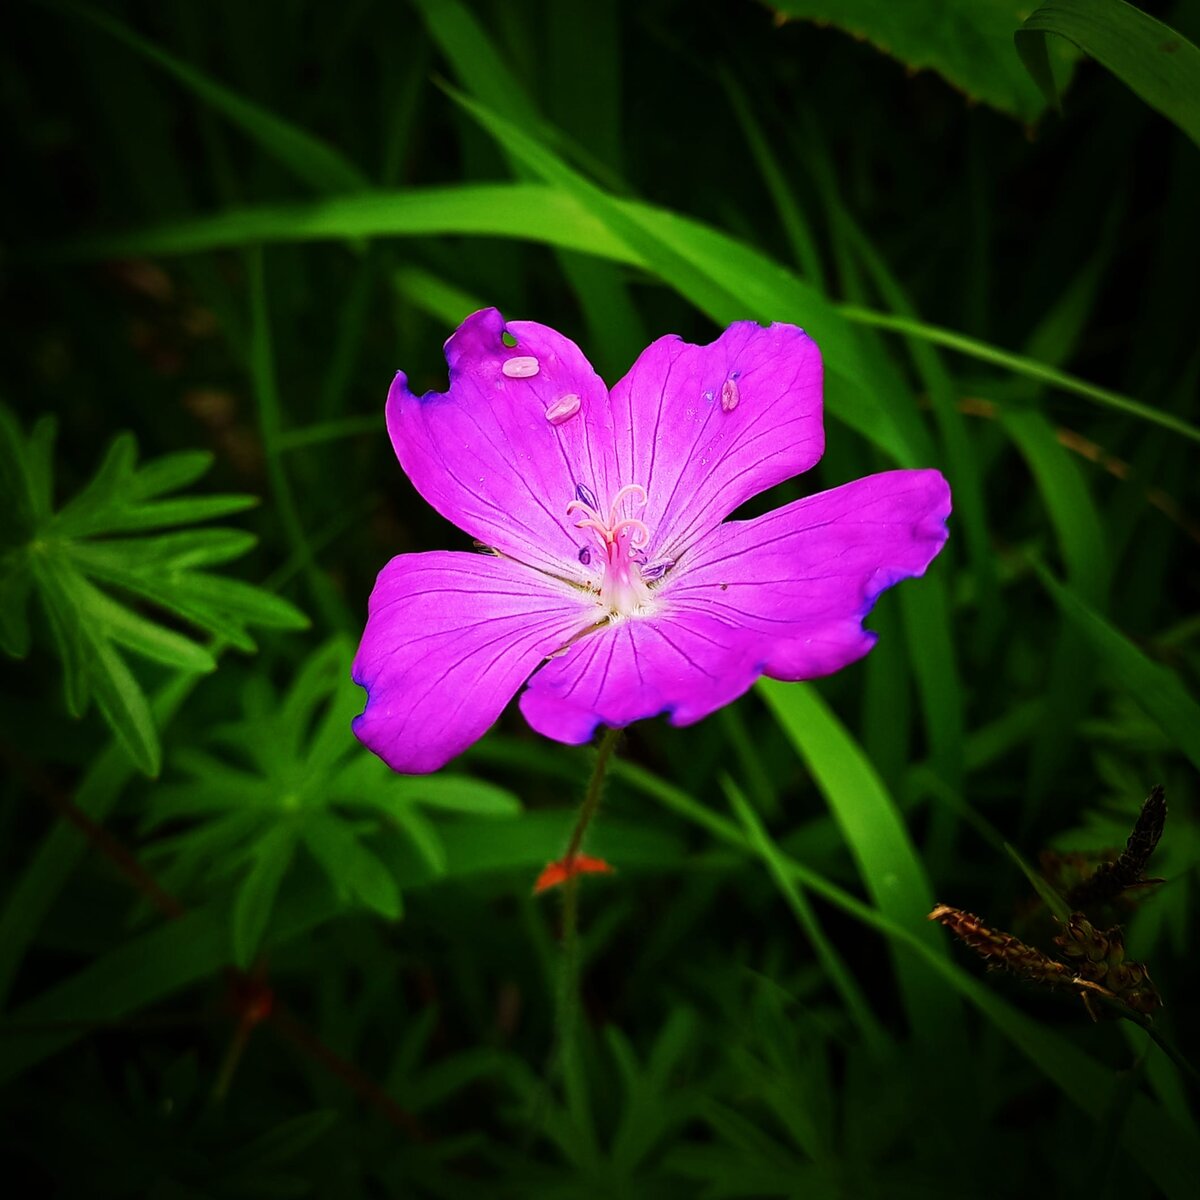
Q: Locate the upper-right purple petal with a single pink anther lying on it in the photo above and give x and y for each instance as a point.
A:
(710, 427)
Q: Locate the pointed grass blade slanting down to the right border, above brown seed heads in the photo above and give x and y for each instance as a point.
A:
(1159, 692)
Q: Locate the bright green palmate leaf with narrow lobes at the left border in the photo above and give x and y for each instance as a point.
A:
(69, 557)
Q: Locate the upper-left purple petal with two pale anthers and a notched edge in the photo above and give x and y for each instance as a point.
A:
(503, 452)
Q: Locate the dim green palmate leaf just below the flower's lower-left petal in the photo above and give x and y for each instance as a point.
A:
(291, 775)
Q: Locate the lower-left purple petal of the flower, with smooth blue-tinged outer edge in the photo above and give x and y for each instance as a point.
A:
(449, 640)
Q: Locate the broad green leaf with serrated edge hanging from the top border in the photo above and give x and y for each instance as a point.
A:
(968, 43)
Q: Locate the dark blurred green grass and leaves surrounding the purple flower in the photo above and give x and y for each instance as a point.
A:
(279, 970)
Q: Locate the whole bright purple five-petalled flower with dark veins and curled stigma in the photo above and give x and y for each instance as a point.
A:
(616, 589)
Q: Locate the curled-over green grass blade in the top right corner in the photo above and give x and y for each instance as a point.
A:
(1154, 61)
